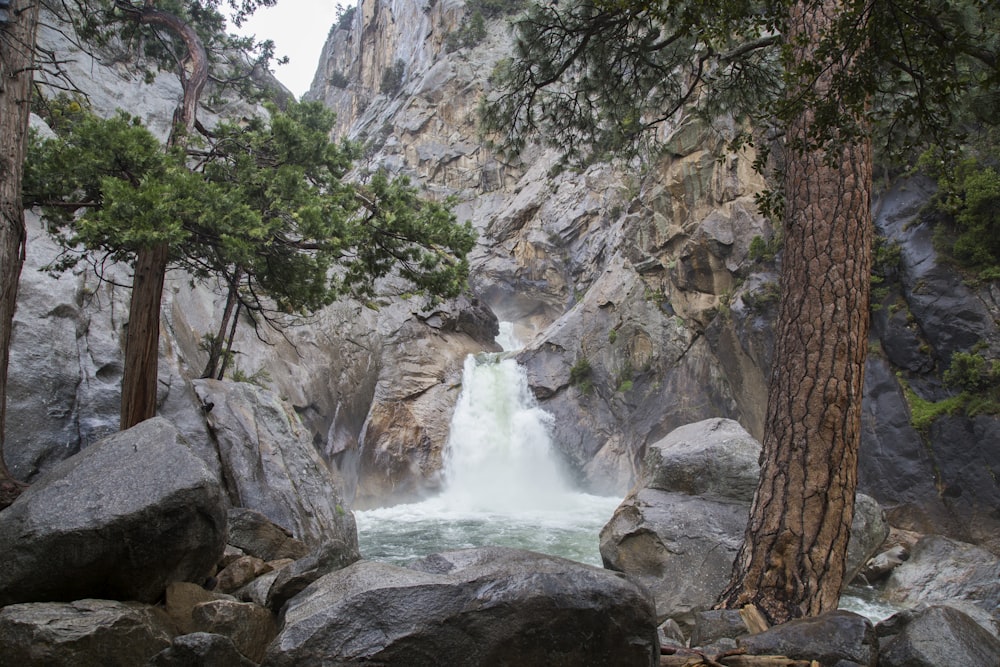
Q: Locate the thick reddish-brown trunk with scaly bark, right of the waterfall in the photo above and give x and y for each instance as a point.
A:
(793, 557)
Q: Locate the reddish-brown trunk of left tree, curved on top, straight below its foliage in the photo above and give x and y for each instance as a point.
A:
(142, 338)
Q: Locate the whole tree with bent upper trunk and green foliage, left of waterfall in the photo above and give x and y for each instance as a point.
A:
(163, 214)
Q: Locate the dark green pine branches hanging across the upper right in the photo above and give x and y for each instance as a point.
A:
(592, 77)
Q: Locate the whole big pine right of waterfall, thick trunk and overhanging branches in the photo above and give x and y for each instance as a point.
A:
(824, 77)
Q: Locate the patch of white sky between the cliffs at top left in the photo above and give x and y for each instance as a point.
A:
(298, 29)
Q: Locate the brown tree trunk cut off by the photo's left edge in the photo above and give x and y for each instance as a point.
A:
(17, 59)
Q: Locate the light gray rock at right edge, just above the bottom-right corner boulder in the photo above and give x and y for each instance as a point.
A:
(947, 572)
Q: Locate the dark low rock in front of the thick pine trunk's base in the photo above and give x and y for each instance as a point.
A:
(835, 639)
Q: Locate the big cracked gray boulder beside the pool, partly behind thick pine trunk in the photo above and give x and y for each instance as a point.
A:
(678, 530)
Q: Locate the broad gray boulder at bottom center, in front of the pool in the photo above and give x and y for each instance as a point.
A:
(483, 606)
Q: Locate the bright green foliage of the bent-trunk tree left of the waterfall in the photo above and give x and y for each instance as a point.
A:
(266, 202)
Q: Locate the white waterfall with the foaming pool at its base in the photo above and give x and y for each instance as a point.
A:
(503, 484)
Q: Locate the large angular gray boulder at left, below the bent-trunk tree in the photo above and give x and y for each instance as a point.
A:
(120, 520)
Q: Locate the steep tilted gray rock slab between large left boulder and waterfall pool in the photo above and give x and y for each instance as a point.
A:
(270, 463)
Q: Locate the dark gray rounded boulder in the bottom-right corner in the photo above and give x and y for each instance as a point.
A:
(936, 636)
